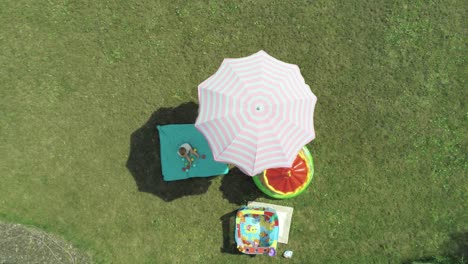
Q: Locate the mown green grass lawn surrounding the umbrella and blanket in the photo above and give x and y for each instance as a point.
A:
(83, 83)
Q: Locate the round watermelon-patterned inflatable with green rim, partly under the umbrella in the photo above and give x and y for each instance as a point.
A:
(285, 183)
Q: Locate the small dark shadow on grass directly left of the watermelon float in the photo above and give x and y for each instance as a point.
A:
(239, 188)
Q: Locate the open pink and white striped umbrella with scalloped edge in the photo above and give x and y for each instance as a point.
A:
(256, 112)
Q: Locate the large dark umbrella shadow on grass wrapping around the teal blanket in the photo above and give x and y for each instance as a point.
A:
(144, 160)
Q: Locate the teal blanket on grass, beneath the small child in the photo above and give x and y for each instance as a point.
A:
(173, 166)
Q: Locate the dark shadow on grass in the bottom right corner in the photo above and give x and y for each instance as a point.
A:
(456, 251)
